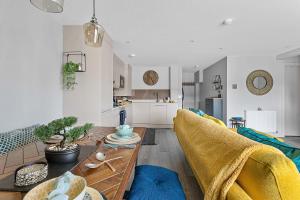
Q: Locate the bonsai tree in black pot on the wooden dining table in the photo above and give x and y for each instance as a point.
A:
(65, 151)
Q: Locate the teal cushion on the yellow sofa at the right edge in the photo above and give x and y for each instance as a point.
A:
(291, 152)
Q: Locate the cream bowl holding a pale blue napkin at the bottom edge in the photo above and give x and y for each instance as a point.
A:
(76, 191)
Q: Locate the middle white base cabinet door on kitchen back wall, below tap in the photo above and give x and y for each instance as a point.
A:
(158, 113)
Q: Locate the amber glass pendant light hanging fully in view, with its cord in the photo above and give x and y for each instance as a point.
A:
(93, 32)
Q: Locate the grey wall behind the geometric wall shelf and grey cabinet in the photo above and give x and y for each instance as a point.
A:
(207, 90)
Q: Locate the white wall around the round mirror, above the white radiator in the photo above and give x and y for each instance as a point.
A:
(240, 99)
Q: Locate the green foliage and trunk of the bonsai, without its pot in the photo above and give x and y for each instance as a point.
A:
(62, 127)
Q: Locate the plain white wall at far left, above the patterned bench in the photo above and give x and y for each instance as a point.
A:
(30, 65)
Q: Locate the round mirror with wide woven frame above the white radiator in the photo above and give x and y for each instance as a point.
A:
(259, 82)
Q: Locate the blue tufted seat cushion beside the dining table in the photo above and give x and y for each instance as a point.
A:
(155, 183)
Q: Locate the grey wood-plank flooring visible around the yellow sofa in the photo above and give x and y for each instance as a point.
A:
(167, 153)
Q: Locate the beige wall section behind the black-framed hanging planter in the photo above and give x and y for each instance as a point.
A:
(93, 93)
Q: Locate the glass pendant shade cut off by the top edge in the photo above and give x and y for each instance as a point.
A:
(52, 6)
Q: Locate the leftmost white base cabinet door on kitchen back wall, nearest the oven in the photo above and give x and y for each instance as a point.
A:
(140, 113)
